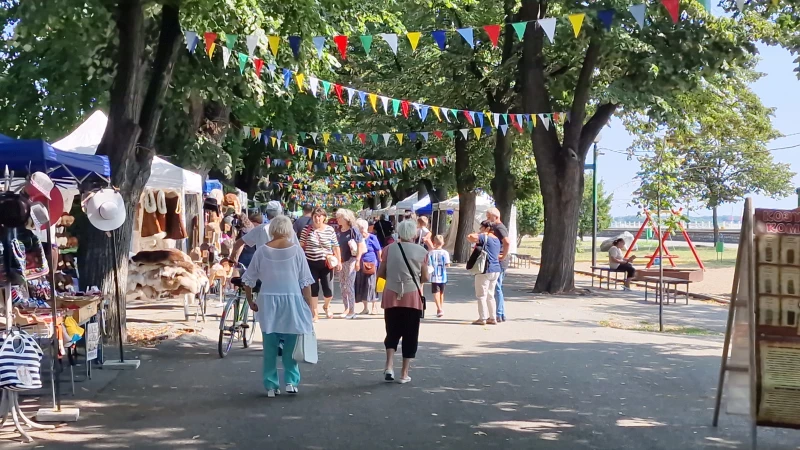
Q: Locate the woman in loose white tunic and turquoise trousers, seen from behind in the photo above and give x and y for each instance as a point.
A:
(283, 306)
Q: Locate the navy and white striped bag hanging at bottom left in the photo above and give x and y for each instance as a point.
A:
(20, 358)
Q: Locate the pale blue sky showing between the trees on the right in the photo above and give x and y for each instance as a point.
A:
(779, 88)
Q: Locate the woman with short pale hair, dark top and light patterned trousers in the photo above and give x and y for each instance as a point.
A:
(352, 247)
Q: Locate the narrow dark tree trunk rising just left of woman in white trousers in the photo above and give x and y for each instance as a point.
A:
(465, 183)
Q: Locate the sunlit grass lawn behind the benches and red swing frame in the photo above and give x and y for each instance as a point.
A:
(533, 247)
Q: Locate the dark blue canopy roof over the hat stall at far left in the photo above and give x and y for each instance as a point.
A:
(22, 155)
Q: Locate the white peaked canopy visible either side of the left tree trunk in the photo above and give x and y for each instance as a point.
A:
(163, 175)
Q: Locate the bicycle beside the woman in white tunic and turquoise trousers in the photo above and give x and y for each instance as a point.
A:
(236, 321)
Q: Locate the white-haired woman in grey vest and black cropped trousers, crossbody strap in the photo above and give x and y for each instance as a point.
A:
(404, 267)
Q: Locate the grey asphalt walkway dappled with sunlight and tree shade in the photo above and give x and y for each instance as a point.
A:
(554, 377)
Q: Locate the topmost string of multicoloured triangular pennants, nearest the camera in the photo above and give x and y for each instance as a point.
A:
(343, 42)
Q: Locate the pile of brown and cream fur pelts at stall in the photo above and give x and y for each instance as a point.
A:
(164, 273)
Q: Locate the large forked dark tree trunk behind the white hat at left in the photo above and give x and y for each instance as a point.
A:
(135, 110)
